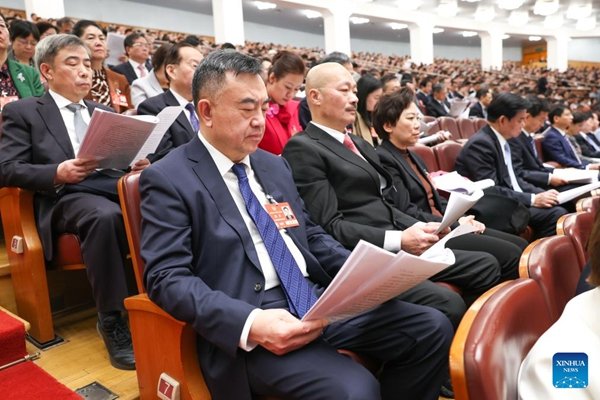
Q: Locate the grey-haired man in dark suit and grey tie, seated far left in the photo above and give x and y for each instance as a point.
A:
(38, 147)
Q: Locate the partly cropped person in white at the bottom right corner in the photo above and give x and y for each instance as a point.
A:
(576, 331)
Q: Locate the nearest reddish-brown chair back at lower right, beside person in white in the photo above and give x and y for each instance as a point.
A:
(494, 336)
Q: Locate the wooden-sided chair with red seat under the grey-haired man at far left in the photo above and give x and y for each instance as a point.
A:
(28, 269)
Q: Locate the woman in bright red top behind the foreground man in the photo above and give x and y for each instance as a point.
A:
(283, 82)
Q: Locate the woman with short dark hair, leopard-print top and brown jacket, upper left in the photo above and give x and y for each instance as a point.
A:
(108, 87)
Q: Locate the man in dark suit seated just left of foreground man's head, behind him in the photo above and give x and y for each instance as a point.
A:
(180, 64)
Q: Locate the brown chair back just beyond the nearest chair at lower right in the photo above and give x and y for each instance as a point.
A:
(552, 262)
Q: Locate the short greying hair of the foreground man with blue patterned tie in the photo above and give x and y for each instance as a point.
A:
(210, 74)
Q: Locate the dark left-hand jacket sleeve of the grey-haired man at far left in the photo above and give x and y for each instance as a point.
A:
(16, 153)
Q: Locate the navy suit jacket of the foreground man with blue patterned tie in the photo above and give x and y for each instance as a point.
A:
(201, 263)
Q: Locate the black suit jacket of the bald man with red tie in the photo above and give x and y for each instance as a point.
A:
(348, 209)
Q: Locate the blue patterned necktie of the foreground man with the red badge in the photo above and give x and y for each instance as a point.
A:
(297, 288)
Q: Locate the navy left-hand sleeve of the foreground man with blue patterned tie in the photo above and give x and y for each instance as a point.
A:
(166, 248)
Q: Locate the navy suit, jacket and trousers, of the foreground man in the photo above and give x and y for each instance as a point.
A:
(202, 268)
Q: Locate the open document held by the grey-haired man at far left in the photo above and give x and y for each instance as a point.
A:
(118, 141)
